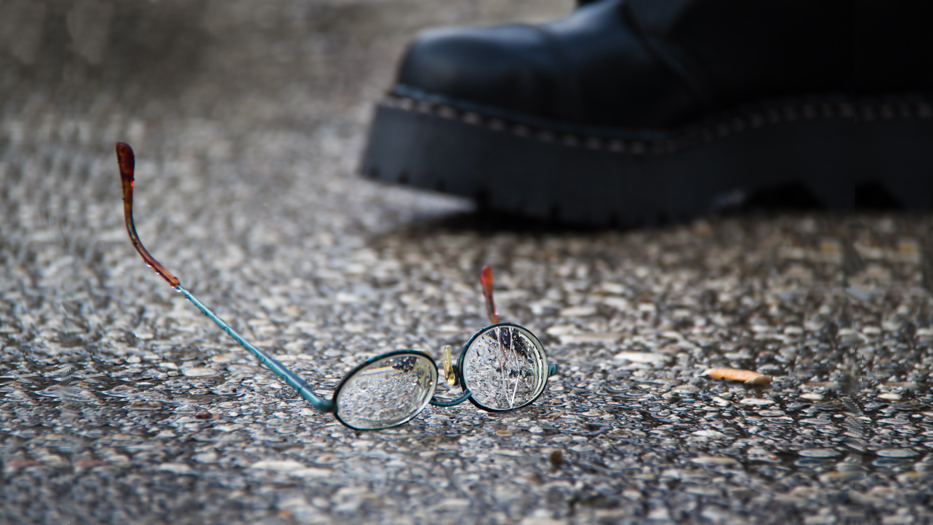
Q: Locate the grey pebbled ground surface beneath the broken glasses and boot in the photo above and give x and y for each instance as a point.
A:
(119, 402)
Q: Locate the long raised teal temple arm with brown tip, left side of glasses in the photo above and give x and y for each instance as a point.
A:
(126, 161)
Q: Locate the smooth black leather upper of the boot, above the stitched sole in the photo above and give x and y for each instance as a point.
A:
(656, 64)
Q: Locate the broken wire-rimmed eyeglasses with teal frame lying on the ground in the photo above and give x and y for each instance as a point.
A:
(503, 367)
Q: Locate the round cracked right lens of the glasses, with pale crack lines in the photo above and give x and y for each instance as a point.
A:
(505, 368)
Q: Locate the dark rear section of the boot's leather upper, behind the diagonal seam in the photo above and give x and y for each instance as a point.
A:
(742, 51)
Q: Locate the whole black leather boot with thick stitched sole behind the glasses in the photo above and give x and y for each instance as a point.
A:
(632, 110)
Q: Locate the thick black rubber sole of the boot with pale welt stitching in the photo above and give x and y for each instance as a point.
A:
(844, 153)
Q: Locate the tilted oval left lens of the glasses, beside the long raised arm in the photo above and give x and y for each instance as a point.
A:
(387, 392)
